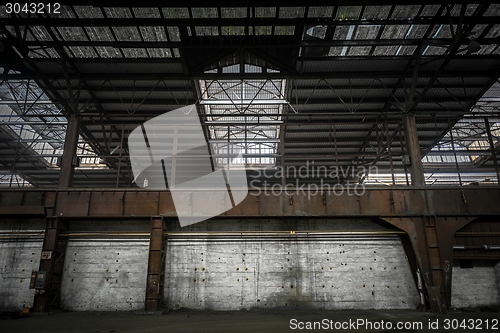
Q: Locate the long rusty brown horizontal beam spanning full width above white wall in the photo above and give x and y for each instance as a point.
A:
(135, 203)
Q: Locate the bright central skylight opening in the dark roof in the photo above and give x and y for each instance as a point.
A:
(246, 113)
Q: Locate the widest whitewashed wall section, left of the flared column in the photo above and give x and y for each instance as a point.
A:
(334, 273)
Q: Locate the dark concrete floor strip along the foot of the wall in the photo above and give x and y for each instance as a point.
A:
(274, 321)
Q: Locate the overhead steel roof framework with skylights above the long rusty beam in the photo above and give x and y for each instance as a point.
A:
(352, 71)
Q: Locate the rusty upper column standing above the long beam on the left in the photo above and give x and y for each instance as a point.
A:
(69, 158)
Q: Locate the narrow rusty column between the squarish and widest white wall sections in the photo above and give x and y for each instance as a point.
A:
(156, 265)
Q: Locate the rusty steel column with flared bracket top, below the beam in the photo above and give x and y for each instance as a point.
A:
(431, 238)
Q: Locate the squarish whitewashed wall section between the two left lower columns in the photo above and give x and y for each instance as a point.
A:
(105, 274)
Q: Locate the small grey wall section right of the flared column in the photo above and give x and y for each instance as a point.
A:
(475, 287)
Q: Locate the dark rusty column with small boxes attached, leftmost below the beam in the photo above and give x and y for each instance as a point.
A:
(49, 275)
